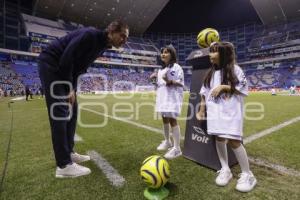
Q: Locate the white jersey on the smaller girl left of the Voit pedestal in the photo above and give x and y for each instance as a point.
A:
(169, 98)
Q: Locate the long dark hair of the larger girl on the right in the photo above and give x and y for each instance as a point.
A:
(227, 61)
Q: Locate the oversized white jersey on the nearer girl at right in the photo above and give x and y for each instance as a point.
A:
(225, 114)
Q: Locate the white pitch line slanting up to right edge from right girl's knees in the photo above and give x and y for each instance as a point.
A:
(270, 130)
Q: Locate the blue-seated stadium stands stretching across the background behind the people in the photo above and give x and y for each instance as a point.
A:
(270, 56)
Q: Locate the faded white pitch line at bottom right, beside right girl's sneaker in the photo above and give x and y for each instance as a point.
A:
(279, 168)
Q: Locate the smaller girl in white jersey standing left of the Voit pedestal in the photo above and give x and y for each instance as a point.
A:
(169, 96)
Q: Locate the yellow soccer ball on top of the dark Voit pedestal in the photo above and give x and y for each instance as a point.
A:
(207, 36)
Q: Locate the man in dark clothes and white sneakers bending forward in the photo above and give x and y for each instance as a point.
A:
(59, 67)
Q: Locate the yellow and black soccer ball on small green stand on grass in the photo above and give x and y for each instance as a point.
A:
(155, 171)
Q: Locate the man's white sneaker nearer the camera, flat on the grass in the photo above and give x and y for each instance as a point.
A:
(72, 171)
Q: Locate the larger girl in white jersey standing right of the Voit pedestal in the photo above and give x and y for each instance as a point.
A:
(222, 96)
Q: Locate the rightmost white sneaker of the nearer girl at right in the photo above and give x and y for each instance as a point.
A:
(246, 182)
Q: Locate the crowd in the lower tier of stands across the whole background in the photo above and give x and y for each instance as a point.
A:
(16, 76)
